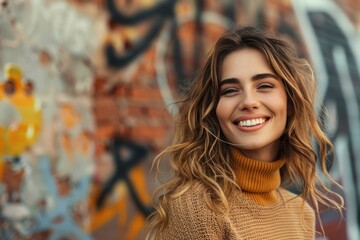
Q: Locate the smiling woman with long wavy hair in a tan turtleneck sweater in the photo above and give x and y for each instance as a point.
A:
(245, 127)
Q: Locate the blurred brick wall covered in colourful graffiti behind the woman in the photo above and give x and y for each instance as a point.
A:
(86, 102)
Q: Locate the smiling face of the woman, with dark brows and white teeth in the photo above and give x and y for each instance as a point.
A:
(252, 108)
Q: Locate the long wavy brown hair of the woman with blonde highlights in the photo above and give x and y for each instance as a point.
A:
(200, 152)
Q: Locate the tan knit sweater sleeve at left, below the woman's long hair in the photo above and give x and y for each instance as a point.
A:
(190, 218)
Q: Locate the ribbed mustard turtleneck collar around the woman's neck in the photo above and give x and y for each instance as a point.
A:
(258, 180)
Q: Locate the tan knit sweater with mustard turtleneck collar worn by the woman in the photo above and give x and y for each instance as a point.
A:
(262, 210)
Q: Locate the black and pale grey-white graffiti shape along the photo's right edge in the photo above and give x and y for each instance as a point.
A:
(330, 38)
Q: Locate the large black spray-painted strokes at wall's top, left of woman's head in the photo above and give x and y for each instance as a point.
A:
(161, 12)
